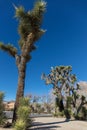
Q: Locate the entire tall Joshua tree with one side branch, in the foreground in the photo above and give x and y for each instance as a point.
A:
(30, 31)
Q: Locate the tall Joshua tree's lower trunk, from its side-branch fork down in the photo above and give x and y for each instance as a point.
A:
(21, 83)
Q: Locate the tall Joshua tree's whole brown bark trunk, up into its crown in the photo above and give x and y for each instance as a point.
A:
(21, 62)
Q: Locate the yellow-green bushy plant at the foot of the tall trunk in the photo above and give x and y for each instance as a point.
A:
(23, 112)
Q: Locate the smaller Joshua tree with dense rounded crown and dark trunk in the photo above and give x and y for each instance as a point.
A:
(63, 84)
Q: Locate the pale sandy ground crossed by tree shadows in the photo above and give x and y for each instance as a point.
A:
(50, 123)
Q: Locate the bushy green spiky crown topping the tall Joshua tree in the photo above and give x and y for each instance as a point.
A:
(30, 22)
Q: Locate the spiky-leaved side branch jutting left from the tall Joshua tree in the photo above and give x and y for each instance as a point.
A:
(9, 49)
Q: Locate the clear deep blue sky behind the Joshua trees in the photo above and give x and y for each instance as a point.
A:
(64, 43)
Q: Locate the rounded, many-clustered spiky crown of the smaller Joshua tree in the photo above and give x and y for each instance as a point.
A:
(61, 79)
